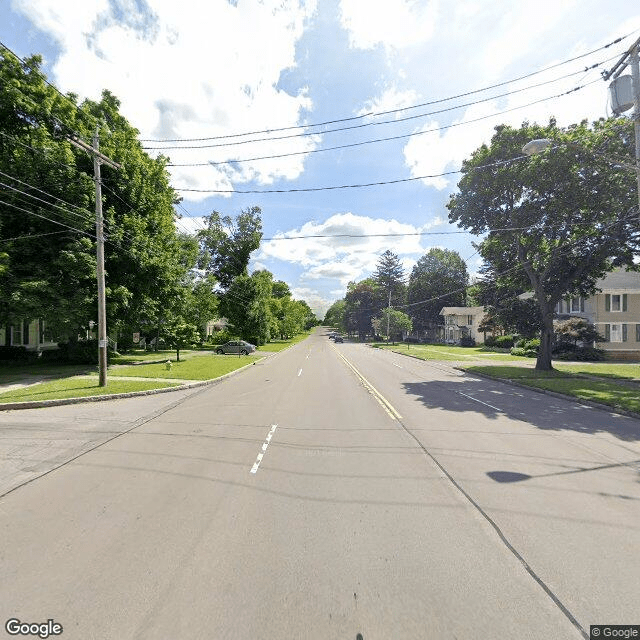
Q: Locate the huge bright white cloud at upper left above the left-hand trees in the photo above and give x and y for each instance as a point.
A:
(185, 77)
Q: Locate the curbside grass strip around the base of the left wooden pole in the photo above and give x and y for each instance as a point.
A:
(78, 388)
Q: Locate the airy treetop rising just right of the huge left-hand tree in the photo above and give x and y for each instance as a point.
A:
(226, 244)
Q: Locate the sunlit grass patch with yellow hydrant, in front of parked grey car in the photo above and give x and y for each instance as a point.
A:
(195, 368)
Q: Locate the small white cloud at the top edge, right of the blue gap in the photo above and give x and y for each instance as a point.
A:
(392, 23)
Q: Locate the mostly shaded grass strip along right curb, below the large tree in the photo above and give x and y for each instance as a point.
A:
(617, 396)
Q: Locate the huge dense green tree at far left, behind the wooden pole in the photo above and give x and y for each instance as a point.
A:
(50, 191)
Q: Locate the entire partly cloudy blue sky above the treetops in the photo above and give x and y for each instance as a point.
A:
(198, 70)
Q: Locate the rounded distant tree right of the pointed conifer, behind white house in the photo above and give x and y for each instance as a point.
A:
(439, 279)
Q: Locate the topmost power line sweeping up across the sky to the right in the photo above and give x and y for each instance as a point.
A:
(401, 109)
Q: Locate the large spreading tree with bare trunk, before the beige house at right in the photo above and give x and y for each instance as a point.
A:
(556, 222)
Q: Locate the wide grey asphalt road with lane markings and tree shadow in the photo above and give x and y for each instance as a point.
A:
(332, 491)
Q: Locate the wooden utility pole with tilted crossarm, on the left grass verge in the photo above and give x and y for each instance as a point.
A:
(99, 158)
